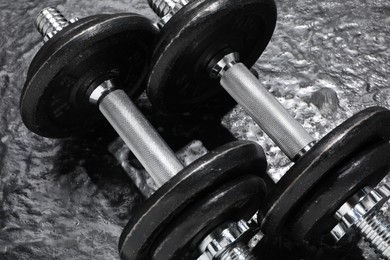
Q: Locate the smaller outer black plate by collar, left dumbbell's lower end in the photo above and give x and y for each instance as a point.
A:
(238, 199)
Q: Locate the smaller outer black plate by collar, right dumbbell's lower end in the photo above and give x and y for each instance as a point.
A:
(367, 168)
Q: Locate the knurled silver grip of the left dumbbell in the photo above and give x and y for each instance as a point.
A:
(143, 140)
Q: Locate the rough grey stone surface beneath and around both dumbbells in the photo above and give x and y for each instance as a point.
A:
(69, 199)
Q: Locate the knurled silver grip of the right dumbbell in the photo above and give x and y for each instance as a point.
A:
(263, 107)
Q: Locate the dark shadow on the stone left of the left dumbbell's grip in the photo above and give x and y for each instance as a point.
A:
(90, 152)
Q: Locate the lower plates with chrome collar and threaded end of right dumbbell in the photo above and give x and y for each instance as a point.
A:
(332, 190)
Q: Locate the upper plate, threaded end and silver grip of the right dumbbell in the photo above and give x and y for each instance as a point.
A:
(202, 40)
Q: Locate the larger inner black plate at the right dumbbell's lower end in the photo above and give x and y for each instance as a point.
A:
(369, 126)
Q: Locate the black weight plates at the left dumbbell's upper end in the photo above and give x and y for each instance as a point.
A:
(54, 101)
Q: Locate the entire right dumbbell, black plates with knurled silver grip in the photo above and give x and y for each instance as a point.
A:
(203, 40)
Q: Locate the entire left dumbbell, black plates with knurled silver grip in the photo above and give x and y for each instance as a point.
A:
(199, 210)
